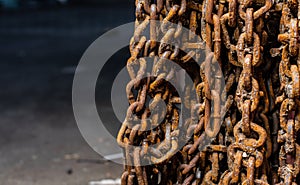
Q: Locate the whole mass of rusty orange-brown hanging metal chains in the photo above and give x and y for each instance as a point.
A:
(256, 44)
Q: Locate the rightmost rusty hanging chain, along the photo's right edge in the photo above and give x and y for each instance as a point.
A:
(289, 74)
